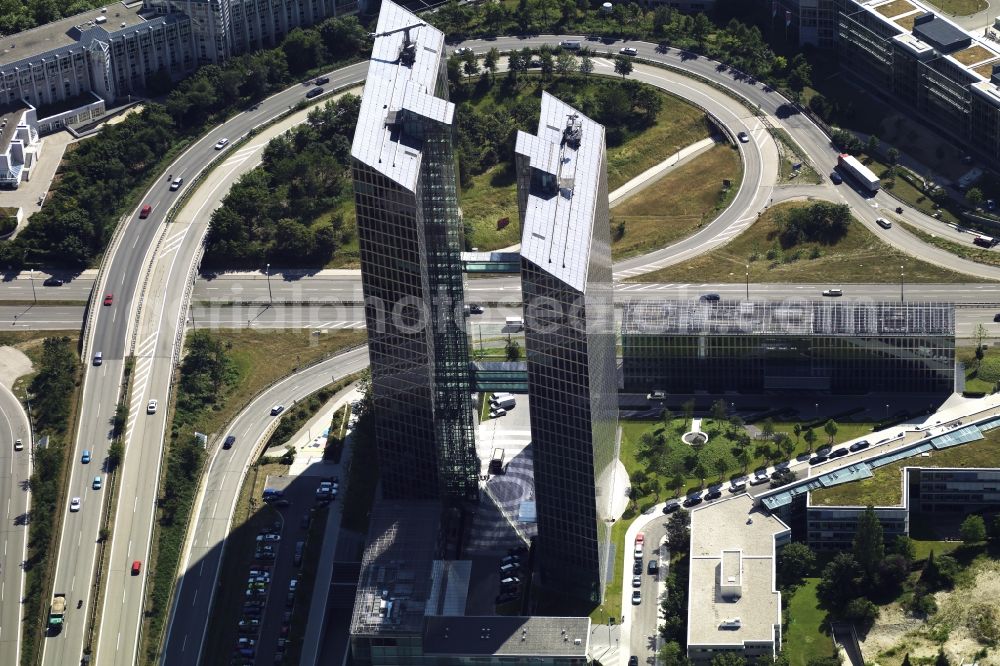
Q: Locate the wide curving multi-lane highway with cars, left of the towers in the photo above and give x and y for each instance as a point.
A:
(113, 334)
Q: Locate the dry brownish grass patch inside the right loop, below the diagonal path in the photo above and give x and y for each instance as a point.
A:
(678, 204)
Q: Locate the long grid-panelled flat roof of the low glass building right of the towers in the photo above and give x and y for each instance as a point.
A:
(856, 319)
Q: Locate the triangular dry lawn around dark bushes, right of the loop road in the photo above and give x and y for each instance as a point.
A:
(859, 256)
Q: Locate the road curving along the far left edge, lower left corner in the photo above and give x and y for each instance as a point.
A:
(15, 469)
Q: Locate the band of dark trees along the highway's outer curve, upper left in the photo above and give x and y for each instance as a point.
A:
(99, 179)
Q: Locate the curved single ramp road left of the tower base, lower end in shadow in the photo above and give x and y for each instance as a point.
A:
(226, 469)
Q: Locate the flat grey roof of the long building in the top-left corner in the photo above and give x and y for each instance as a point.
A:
(66, 32)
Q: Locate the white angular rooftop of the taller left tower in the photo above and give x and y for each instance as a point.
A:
(402, 77)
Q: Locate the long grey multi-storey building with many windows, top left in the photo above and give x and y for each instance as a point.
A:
(73, 68)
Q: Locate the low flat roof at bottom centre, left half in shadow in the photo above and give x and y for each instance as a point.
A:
(507, 636)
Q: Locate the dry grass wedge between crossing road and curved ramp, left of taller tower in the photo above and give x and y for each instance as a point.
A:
(262, 357)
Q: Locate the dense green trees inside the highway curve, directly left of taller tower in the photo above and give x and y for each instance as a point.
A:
(281, 212)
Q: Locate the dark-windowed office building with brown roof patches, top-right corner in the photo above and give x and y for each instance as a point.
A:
(945, 75)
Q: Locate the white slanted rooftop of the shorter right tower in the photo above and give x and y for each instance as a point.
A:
(566, 158)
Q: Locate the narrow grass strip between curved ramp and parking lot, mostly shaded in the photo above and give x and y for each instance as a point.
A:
(249, 518)
